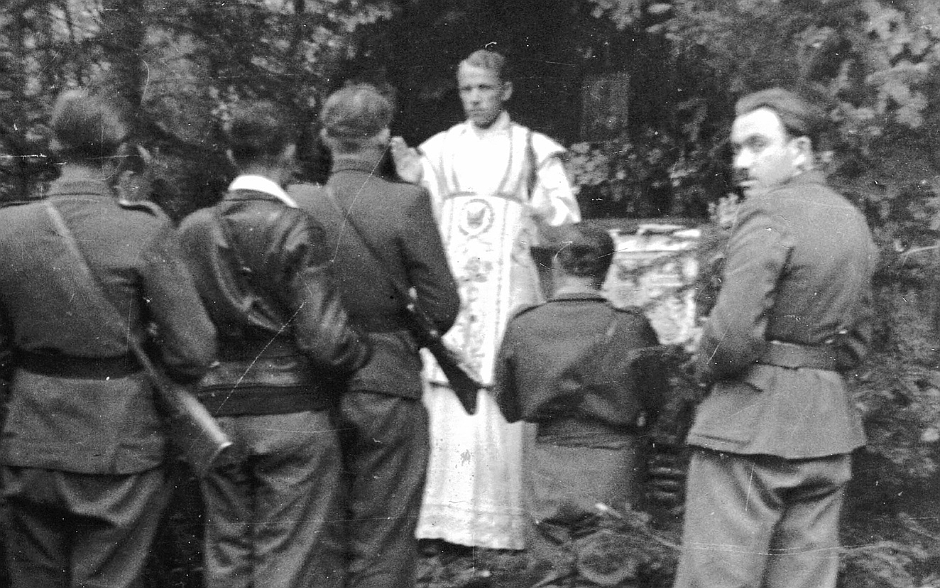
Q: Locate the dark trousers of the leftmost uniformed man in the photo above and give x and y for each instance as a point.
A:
(80, 530)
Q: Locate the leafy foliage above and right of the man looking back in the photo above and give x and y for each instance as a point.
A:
(874, 63)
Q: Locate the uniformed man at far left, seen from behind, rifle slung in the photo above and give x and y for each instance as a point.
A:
(82, 450)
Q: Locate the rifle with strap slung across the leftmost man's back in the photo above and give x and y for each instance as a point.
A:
(191, 428)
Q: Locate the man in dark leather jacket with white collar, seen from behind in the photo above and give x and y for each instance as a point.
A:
(261, 267)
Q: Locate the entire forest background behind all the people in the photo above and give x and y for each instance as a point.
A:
(641, 92)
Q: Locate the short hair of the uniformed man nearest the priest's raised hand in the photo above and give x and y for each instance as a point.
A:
(353, 116)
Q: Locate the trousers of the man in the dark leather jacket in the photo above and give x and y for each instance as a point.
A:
(272, 517)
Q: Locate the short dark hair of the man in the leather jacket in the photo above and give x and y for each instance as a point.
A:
(259, 131)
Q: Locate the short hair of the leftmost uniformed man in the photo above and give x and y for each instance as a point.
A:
(86, 127)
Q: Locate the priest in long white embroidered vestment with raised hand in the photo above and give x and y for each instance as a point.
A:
(498, 189)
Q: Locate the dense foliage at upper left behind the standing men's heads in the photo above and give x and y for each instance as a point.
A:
(178, 64)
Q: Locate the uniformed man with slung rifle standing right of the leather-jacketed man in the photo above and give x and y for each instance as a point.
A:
(384, 243)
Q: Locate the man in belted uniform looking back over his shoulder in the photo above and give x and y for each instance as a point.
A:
(772, 441)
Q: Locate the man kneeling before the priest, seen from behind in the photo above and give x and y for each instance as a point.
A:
(583, 371)
